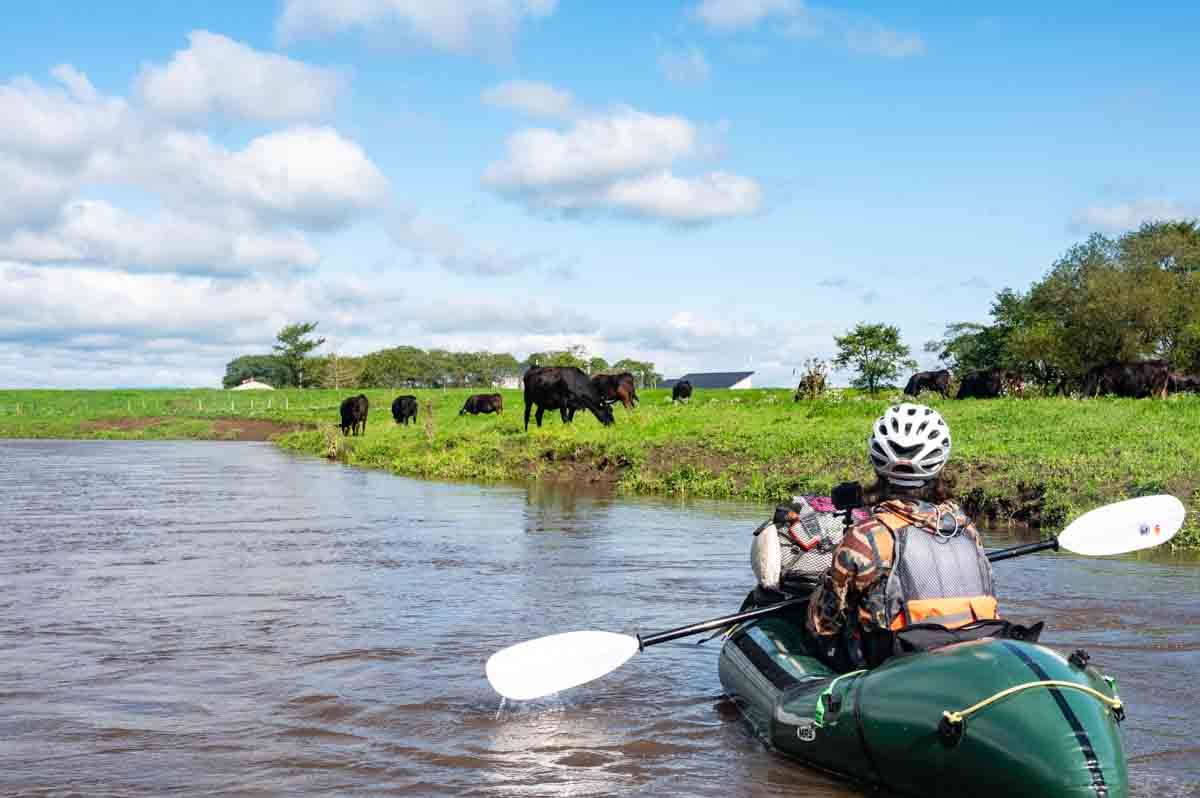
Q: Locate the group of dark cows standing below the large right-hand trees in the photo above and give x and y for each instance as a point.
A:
(1137, 380)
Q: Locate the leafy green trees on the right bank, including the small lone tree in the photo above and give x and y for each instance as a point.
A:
(1124, 299)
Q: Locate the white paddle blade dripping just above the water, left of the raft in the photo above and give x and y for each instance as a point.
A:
(539, 668)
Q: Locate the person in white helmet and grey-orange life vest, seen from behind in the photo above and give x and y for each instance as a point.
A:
(919, 560)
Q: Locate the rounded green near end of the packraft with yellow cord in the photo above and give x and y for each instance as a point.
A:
(1039, 741)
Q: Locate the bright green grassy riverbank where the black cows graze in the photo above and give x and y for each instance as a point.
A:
(1036, 461)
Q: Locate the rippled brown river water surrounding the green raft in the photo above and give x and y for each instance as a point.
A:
(229, 620)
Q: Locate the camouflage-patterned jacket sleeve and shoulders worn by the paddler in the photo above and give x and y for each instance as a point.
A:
(857, 580)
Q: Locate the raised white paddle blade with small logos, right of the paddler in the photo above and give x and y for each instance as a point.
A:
(1125, 527)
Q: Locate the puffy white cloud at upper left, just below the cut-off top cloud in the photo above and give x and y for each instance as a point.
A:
(218, 75)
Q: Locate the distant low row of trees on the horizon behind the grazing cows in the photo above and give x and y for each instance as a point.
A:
(292, 365)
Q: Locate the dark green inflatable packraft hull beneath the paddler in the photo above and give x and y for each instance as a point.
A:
(885, 728)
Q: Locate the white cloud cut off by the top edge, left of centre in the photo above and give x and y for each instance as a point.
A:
(457, 26)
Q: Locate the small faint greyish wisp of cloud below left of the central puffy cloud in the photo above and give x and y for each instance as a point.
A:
(428, 239)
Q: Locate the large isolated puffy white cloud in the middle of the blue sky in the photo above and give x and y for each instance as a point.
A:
(620, 161)
